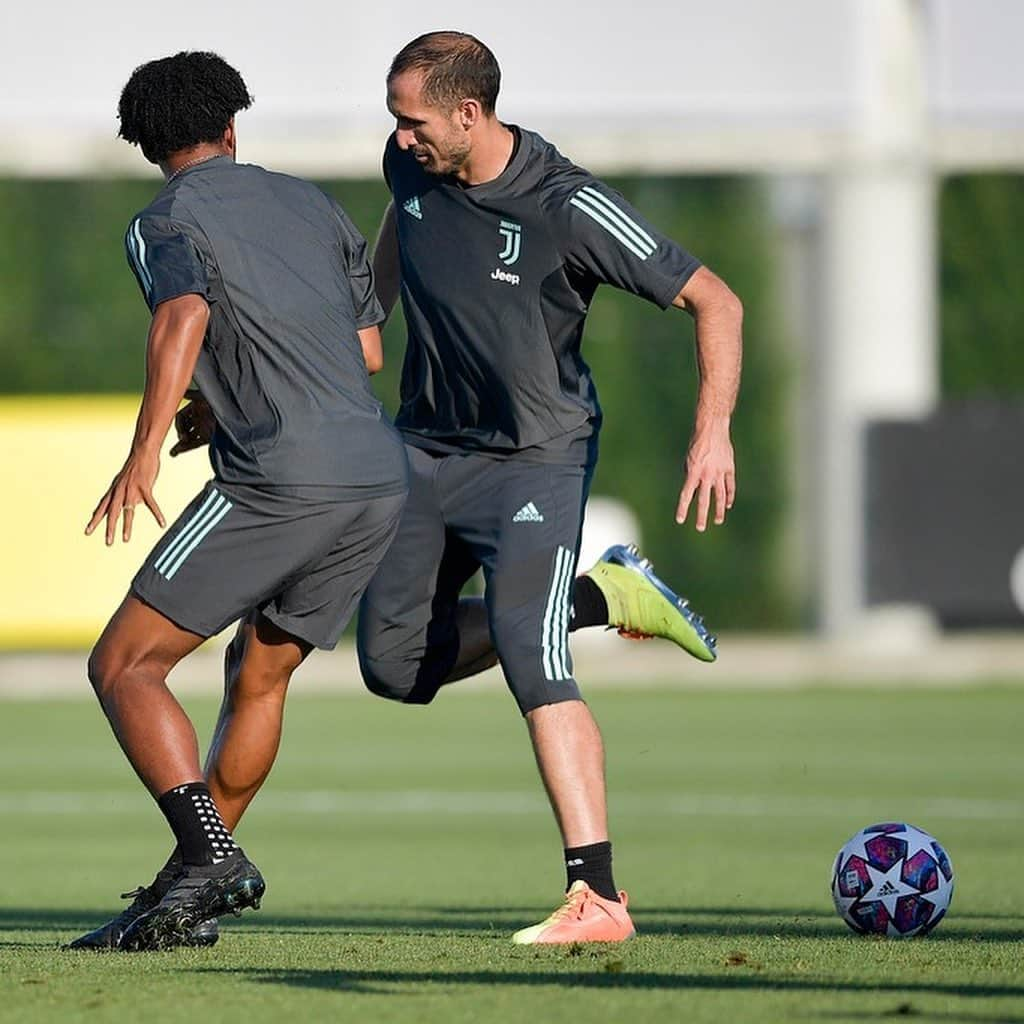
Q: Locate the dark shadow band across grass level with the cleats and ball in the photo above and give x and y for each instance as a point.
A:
(792, 923)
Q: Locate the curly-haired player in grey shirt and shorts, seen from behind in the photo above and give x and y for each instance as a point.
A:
(262, 292)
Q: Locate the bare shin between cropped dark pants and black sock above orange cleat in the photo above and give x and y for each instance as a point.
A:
(571, 757)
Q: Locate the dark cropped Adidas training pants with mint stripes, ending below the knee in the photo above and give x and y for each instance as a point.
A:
(521, 522)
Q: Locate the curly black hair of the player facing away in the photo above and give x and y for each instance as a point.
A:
(177, 103)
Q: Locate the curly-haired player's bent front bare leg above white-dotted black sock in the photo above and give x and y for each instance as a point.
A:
(129, 670)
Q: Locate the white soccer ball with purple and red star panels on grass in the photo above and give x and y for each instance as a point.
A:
(892, 880)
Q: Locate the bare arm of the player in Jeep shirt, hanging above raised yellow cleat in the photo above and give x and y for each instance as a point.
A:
(710, 461)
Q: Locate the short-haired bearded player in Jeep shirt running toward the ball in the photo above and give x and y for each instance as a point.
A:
(497, 244)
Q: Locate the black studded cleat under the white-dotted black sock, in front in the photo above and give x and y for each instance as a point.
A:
(198, 894)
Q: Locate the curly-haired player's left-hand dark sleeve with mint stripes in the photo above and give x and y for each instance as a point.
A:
(164, 260)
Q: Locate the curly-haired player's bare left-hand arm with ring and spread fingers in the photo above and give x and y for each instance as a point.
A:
(176, 338)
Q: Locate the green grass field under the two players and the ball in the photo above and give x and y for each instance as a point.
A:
(403, 845)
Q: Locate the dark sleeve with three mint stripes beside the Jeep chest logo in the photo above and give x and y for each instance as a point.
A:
(609, 240)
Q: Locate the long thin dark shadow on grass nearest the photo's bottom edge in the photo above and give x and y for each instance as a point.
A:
(382, 983)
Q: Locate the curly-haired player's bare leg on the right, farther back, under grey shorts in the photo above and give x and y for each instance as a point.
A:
(259, 667)
